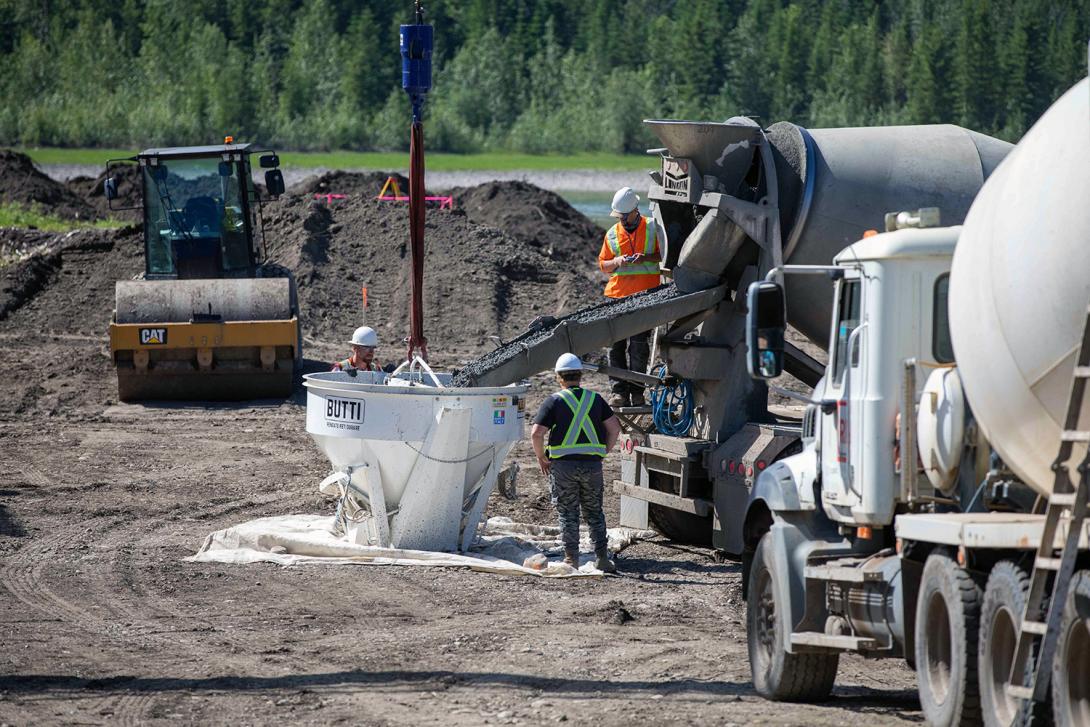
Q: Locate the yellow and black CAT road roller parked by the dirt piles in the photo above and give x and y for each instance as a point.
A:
(209, 319)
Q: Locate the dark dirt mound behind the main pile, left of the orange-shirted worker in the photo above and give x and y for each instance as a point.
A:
(535, 216)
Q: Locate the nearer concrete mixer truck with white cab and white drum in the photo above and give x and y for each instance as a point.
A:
(936, 511)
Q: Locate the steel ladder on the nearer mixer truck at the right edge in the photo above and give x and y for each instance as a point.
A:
(1069, 502)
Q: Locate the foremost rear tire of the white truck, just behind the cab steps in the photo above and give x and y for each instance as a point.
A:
(948, 627)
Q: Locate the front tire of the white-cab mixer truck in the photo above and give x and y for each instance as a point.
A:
(779, 675)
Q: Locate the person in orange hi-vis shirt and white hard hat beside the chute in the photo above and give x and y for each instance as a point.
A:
(631, 256)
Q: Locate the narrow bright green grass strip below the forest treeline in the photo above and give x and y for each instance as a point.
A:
(391, 161)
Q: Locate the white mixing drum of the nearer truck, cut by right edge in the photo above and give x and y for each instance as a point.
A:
(1021, 288)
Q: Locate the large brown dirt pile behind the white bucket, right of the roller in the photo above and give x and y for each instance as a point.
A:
(480, 282)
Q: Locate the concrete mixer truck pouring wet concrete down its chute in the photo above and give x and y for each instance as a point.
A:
(736, 201)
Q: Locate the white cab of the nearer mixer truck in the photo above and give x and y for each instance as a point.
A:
(890, 306)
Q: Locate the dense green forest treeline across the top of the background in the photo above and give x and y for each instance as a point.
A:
(531, 76)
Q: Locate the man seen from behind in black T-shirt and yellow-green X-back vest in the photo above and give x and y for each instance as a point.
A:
(582, 430)
